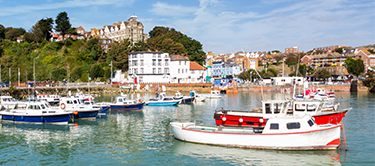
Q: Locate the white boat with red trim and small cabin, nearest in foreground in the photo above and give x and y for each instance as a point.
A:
(282, 132)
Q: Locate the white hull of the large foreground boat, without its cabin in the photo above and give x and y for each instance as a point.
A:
(322, 139)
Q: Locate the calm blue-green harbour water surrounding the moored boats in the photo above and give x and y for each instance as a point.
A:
(144, 137)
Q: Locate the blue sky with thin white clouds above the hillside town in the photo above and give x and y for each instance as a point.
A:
(222, 26)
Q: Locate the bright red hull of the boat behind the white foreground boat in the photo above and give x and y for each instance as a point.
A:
(332, 117)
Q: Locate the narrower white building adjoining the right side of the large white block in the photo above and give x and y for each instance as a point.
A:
(180, 69)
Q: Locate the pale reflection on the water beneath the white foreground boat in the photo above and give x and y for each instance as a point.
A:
(206, 153)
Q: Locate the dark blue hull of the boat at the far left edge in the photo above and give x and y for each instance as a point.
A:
(52, 119)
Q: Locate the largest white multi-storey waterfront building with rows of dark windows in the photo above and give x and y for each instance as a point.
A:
(149, 67)
